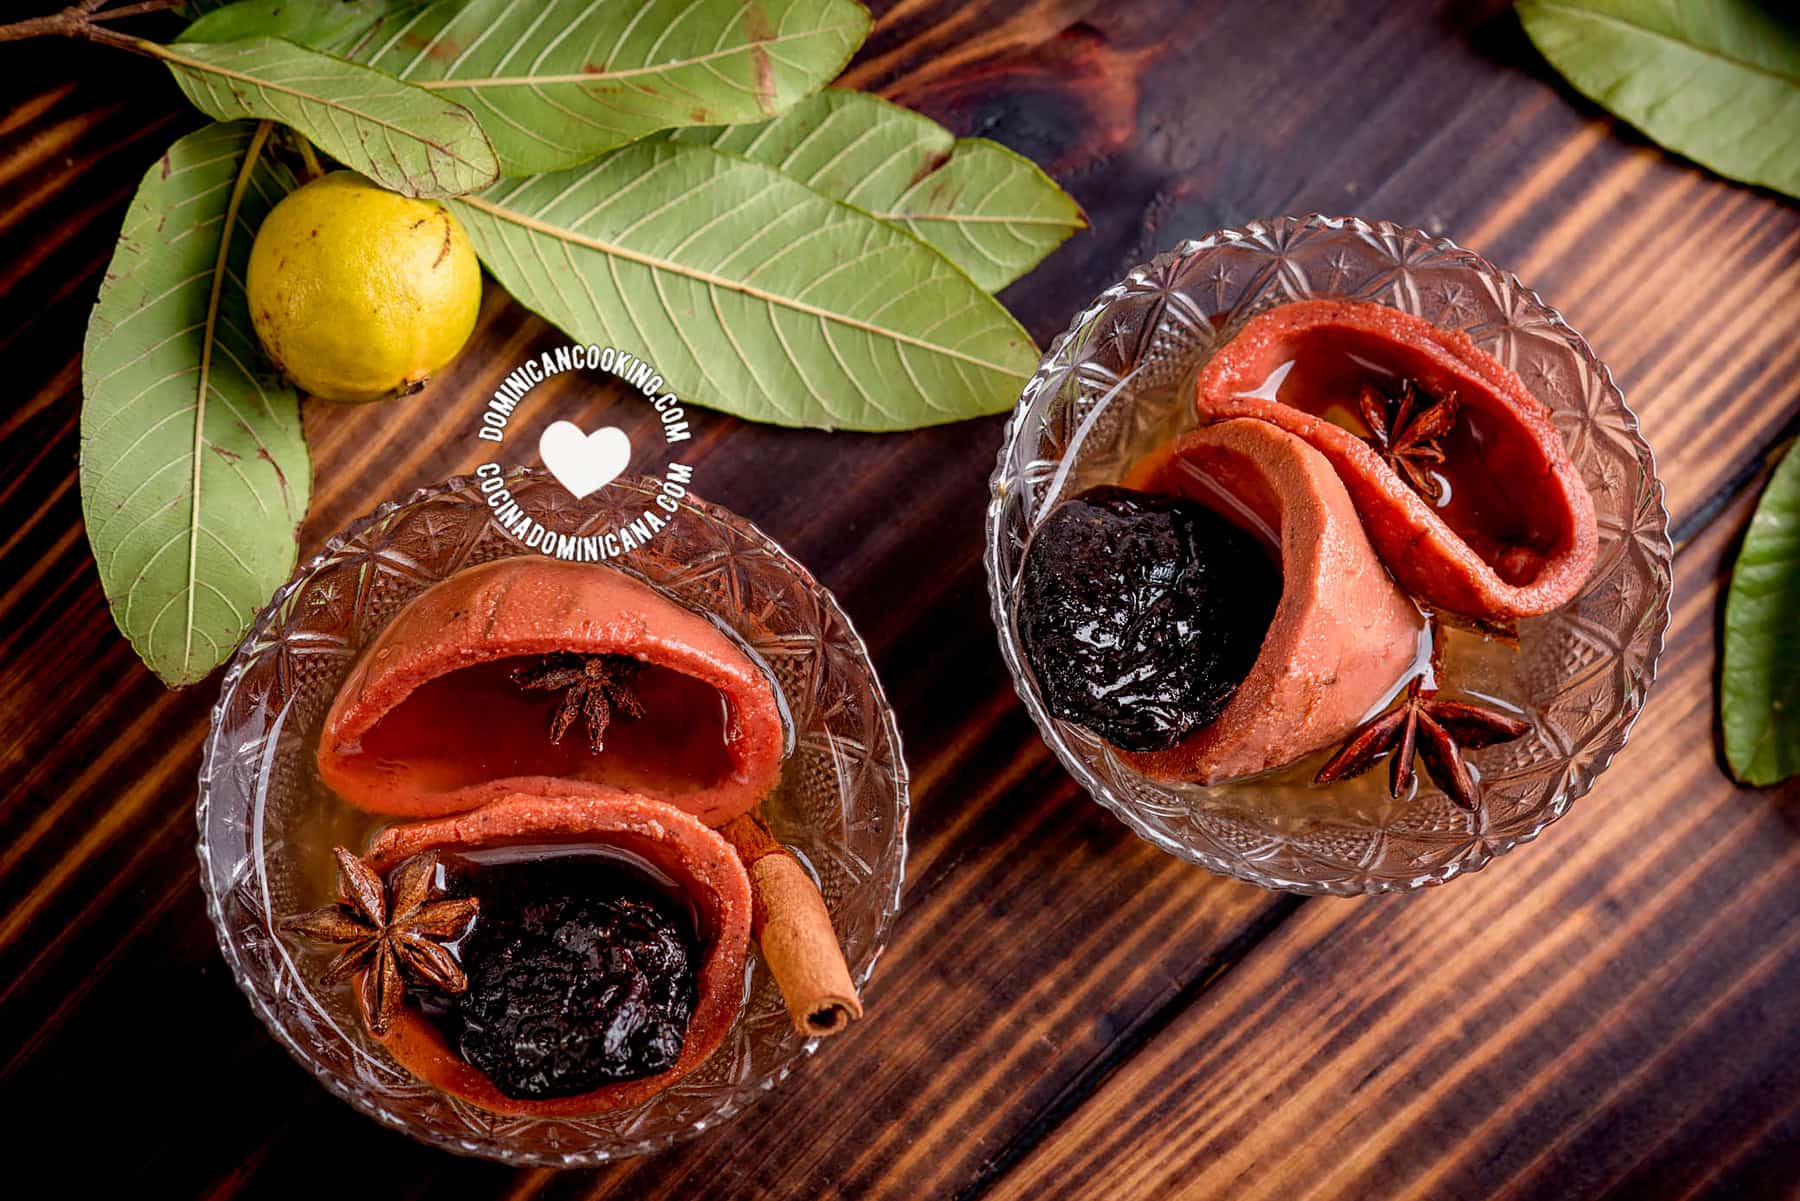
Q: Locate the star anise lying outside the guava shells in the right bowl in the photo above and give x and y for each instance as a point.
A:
(1432, 730)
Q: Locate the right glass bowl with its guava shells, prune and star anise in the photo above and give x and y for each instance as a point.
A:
(1311, 500)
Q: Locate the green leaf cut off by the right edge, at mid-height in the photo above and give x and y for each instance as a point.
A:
(1759, 694)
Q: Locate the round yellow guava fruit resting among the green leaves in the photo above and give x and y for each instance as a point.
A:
(361, 294)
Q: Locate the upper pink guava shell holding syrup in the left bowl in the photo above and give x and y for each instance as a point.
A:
(469, 743)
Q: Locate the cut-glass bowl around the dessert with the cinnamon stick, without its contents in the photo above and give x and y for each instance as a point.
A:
(841, 804)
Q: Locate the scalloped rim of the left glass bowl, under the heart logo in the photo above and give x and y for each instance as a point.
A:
(742, 1096)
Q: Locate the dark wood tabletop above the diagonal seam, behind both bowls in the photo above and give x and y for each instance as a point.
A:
(1041, 948)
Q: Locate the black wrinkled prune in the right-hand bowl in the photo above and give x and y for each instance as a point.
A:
(1142, 615)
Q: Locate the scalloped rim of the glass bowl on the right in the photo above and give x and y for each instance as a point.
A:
(1000, 613)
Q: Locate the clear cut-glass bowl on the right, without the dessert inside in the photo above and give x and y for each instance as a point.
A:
(1120, 381)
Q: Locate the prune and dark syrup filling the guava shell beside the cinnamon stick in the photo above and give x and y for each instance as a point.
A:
(580, 970)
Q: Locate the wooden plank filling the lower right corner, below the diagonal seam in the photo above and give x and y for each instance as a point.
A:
(1608, 1015)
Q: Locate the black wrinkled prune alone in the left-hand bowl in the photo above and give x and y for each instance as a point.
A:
(570, 993)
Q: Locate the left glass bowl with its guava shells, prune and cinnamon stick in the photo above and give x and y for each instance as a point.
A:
(552, 862)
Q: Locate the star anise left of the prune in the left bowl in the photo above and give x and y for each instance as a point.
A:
(390, 934)
